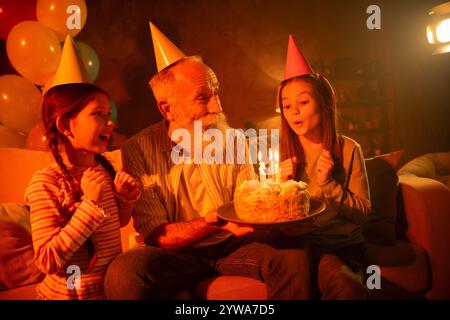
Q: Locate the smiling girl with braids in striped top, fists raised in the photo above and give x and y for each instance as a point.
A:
(78, 204)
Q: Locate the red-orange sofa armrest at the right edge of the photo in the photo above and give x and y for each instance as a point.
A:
(427, 211)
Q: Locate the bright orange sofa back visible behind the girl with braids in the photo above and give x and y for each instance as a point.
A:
(18, 165)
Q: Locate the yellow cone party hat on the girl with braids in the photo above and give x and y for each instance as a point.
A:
(70, 68)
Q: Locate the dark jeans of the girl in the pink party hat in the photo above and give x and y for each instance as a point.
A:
(338, 274)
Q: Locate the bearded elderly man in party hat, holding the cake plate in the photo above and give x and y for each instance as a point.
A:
(183, 239)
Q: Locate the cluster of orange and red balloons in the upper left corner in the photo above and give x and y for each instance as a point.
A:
(33, 30)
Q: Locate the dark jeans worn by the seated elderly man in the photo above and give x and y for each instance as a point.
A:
(155, 273)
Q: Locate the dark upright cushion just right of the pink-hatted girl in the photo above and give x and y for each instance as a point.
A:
(383, 183)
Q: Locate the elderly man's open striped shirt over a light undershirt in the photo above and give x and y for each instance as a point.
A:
(147, 156)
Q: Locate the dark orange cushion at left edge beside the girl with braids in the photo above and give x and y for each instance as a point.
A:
(17, 267)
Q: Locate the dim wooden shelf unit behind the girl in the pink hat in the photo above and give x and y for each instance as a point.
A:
(362, 101)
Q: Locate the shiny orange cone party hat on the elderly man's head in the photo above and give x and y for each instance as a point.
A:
(166, 52)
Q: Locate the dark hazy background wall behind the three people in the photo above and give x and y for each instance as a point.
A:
(245, 43)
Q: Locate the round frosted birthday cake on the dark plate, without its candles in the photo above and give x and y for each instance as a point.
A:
(269, 201)
